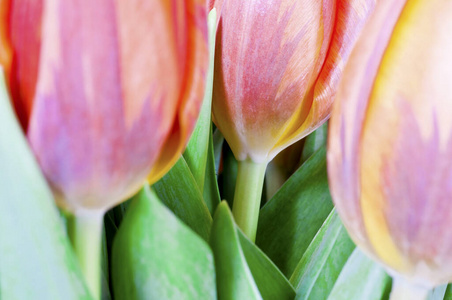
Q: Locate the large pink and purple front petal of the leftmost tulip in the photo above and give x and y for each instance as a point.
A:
(109, 86)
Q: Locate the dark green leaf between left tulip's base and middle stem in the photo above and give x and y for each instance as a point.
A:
(180, 193)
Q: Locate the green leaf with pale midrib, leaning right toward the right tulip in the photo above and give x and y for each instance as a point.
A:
(321, 264)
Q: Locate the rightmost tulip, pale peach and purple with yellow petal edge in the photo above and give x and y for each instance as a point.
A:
(390, 143)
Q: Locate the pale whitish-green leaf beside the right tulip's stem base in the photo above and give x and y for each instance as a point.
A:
(361, 278)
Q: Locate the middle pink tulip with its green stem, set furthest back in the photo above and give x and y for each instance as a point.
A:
(277, 66)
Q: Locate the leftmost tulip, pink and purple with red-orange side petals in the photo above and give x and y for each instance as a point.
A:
(107, 93)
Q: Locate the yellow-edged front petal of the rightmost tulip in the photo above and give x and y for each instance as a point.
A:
(410, 130)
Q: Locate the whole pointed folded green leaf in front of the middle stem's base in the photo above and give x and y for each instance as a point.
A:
(243, 270)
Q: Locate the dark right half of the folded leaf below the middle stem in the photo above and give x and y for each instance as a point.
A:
(270, 281)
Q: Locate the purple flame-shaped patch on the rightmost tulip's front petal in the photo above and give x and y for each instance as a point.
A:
(416, 180)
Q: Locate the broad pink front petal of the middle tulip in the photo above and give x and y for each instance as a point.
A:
(269, 53)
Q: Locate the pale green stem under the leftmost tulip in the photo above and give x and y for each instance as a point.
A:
(85, 232)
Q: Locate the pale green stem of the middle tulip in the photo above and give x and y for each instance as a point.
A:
(247, 196)
